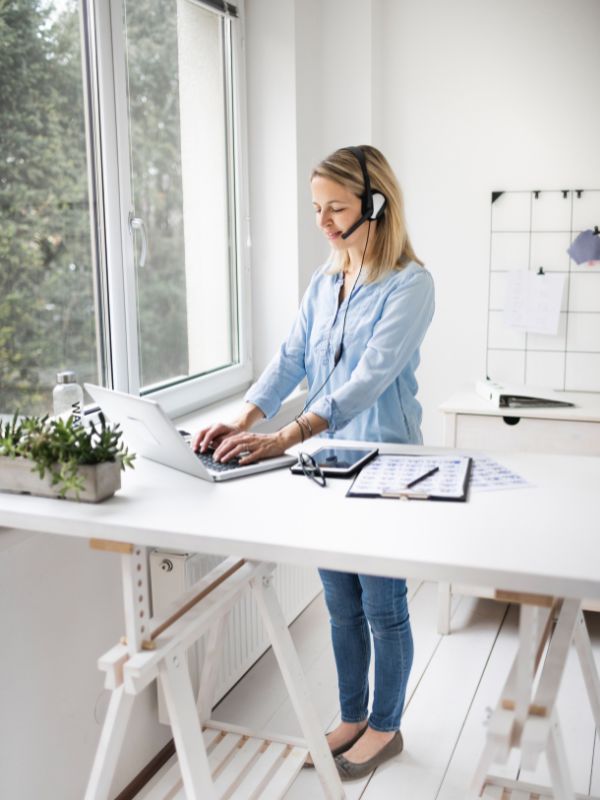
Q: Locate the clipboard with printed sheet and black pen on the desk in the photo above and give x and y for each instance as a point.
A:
(387, 476)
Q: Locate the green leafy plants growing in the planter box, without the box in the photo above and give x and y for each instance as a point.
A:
(60, 446)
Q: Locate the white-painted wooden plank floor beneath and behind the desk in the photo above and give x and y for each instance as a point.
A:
(454, 682)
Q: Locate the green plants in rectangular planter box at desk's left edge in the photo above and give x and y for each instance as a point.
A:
(62, 458)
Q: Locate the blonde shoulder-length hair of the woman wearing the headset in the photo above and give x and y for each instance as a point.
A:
(391, 249)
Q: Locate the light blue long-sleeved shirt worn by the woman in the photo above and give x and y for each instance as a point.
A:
(371, 394)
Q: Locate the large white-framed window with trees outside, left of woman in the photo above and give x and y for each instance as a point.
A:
(142, 287)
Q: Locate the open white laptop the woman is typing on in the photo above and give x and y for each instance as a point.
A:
(149, 432)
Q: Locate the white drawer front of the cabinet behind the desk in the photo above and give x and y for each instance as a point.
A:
(479, 431)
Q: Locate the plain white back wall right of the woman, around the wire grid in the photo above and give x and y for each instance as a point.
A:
(481, 96)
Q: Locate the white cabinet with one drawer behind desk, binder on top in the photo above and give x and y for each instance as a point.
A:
(471, 423)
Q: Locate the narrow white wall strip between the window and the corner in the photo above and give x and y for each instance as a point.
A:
(272, 147)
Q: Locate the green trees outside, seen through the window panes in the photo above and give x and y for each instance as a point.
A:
(47, 281)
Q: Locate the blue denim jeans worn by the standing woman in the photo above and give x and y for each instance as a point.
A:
(353, 601)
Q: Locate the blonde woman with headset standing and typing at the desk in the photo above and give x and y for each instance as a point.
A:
(356, 339)
